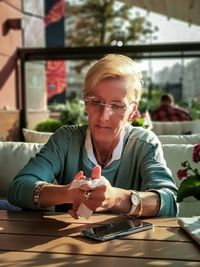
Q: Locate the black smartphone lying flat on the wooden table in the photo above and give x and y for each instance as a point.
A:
(120, 228)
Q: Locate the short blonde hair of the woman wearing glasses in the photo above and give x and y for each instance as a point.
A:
(119, 67)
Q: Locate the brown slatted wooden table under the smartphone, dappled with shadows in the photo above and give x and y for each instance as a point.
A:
(53, 239)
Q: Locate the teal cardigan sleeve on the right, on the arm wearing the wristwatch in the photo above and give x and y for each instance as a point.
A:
(144, 168)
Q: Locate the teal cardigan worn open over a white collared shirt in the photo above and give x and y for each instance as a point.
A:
(142, 167)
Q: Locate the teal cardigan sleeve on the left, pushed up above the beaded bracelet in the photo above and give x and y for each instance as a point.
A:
(47, 166)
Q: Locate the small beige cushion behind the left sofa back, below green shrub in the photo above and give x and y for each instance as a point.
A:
(35, 136)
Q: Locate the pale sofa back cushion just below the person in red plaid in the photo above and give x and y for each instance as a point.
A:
(179, 139)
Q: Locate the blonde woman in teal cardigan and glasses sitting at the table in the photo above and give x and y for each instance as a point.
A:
(137, 181)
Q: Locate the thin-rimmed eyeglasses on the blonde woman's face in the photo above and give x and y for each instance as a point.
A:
(113, 107)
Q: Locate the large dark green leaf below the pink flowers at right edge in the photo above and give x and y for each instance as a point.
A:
(189, 187)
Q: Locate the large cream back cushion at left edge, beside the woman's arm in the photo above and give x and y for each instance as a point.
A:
(13, 157)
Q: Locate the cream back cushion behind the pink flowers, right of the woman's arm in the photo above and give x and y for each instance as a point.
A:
(174, 155)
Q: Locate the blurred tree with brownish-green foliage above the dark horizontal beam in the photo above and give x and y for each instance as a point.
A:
(105, 22)
